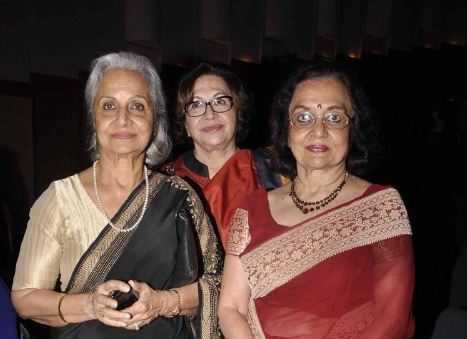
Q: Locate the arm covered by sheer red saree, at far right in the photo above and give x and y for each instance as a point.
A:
(393, 289)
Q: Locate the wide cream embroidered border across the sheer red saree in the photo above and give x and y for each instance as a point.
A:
(377, 217)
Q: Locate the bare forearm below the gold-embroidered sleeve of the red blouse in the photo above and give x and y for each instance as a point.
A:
(234, 299)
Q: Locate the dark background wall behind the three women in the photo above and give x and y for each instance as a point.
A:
(410, 55)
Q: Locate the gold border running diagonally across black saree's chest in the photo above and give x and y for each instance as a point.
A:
(99, 259)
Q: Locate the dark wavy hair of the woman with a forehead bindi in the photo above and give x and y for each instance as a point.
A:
(363, 137)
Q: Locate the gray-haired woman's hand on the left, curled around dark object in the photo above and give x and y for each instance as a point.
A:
(103, 308)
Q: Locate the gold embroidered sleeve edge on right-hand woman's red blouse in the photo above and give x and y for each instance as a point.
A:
(239, 234)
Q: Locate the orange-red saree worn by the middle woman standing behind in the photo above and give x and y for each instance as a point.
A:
(235, 180)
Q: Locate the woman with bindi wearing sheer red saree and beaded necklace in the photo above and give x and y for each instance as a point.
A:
(330, 254)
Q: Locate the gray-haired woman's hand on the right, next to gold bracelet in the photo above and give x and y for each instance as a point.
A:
(150, 304)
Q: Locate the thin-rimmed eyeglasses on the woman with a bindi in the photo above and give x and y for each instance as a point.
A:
(331, 120)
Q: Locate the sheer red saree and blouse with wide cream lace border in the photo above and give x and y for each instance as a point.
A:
(332, 276)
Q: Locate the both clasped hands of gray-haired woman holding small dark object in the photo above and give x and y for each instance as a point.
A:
(150, 305)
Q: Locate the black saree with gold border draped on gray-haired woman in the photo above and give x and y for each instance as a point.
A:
(149, 253)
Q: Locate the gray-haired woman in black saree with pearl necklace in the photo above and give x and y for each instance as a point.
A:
(110, 252)
